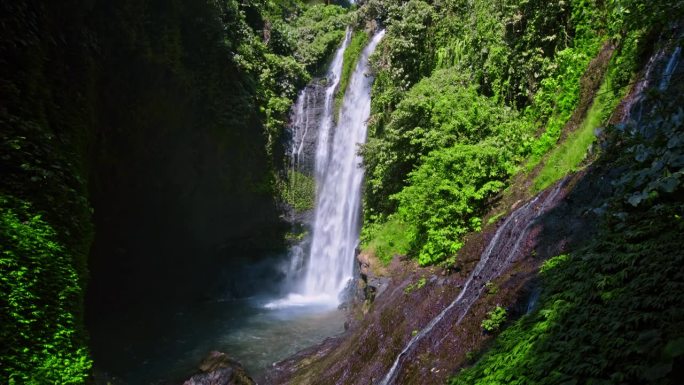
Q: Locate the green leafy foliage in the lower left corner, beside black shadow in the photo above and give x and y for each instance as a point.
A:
(40, 295)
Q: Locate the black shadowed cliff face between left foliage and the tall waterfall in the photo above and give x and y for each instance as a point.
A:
(180, 182)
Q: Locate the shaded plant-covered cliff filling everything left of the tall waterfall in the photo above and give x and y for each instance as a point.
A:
(151, 121)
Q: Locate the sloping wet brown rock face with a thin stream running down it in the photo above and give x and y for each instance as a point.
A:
(399, 303)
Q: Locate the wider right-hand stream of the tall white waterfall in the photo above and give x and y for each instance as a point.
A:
(336, 224)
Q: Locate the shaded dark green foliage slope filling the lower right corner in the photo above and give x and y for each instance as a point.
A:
(610, 312)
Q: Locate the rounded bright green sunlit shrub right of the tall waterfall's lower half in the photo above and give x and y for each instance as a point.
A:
(447, 195)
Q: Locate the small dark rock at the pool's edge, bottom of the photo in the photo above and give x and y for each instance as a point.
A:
(219, 369)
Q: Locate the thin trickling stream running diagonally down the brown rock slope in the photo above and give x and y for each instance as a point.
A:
(501, 250)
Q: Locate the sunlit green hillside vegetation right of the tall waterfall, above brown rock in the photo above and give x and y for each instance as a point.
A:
(497, 81)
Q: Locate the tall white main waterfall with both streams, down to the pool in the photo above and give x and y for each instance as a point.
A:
(338, 175)
